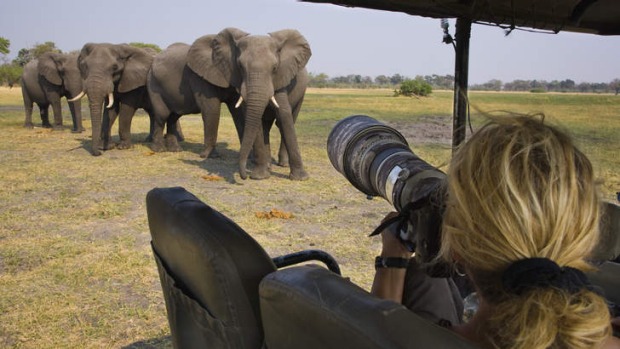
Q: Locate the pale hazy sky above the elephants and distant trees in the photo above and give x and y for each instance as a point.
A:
(343, 40)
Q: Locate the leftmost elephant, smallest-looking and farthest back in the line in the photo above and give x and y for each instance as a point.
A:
(45, 81)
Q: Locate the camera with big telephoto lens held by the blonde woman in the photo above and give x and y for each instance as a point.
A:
(377, 160)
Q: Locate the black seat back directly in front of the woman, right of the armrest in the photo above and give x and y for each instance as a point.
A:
(311, 307)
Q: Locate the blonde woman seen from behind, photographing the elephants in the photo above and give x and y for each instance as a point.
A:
(521, 218)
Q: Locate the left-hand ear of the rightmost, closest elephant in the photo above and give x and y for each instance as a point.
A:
(214, 57)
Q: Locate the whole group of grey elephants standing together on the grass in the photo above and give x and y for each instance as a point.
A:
(262, 79)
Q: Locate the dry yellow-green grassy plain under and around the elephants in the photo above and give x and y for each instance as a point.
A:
(76, 267)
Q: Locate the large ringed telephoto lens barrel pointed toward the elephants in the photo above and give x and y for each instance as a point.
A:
(377, 160)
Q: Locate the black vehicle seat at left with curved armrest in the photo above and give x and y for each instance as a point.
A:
(210, 270)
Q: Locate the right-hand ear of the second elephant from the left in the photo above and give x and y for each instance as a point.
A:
(137, 64)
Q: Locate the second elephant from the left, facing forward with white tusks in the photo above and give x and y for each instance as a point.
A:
(115, 73)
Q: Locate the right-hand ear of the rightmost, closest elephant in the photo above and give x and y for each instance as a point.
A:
(294, 55)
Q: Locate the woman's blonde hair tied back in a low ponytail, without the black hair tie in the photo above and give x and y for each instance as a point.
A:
(520, 189)
